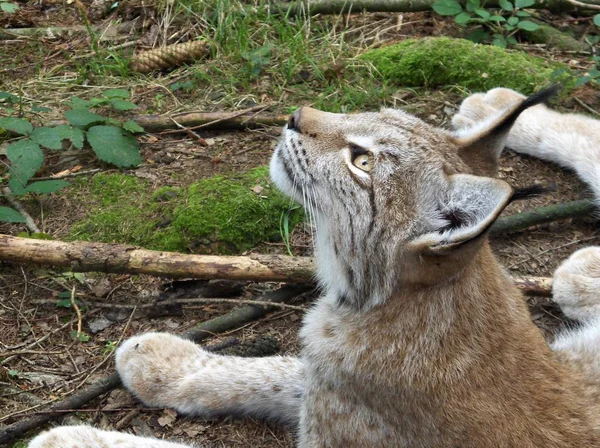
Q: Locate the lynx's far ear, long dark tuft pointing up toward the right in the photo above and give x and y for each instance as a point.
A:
(480, 146)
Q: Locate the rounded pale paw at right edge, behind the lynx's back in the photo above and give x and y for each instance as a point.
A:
(576, 286)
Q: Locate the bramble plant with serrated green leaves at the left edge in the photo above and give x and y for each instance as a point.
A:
(111, 140)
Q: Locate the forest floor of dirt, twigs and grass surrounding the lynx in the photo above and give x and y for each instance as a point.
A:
(40, 361)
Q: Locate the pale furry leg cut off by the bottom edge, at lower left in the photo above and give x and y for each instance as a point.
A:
(88, 437)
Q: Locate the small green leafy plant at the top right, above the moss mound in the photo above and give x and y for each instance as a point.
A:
(496, 25)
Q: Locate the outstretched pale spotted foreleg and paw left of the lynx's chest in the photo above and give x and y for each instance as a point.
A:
(165, 370)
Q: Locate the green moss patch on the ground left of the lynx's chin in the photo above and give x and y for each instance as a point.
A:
(221, 214)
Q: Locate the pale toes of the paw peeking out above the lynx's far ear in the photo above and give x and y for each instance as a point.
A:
(480, 106)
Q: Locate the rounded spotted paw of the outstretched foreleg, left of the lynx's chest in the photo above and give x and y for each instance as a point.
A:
(153, 367)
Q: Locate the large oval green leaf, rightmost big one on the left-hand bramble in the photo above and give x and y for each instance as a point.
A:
(112, 146)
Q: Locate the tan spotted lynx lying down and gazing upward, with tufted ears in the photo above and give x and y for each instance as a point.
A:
(419, 338)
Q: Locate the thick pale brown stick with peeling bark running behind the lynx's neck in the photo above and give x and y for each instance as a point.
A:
(101, 257)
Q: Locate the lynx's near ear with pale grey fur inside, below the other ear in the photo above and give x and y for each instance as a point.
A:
(470, 207)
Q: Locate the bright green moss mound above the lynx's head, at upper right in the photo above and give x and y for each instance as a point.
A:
(443, 61)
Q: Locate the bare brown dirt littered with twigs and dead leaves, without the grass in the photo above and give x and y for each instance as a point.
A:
(40, 361)
